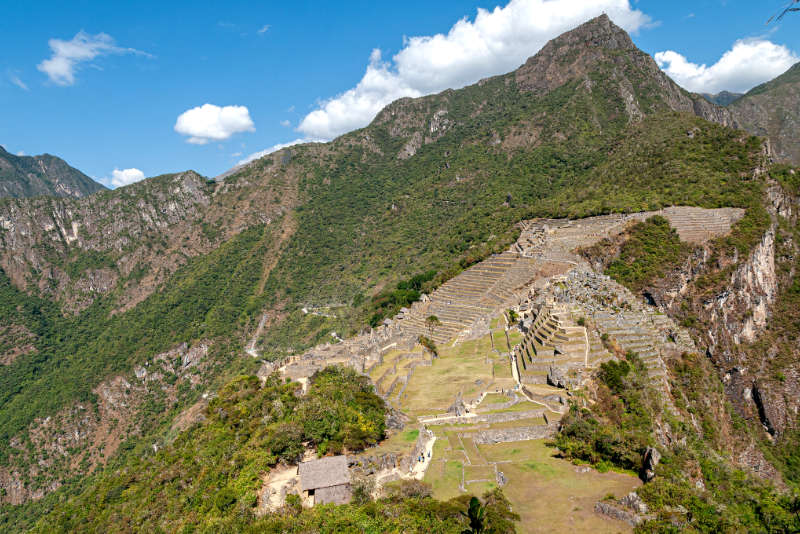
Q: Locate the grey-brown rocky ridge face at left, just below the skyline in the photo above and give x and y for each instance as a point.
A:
(73, 250)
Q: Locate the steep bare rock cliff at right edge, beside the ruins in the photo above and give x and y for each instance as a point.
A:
(733, 302)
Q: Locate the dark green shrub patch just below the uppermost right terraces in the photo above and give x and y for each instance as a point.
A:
(652, 249)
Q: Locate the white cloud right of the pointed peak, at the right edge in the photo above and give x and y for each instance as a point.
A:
(748, 63)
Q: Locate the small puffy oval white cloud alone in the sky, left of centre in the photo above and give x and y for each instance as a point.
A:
(213, 123)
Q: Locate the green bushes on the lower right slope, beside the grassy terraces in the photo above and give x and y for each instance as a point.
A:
(618, 428)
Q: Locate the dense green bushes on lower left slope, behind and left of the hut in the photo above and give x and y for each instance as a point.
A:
(210, 474)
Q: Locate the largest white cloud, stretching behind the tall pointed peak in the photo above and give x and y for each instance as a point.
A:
(496, 42)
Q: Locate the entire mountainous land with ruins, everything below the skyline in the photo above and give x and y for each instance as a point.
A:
(569, 290)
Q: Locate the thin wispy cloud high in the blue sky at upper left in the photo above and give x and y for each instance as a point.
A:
(68, 55)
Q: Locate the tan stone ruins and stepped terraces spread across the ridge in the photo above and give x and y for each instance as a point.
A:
(554, 289)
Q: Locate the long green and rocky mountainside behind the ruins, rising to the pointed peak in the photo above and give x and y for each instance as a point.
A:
(105, 291)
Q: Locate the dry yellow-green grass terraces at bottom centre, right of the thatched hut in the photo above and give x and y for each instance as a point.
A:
(565, 494)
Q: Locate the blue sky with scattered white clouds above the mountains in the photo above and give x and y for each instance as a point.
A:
(109, 98)
